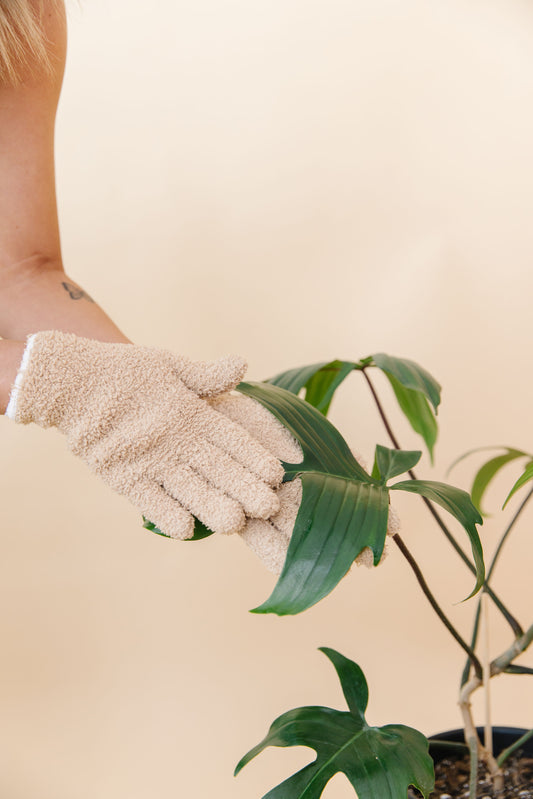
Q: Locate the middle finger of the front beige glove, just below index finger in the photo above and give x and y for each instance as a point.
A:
(223, 472)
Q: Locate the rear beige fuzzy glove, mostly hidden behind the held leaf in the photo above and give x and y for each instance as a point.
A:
(270, 539)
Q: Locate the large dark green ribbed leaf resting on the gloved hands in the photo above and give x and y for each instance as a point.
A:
(343, 510)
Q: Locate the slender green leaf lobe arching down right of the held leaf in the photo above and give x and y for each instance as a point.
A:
(459, 504)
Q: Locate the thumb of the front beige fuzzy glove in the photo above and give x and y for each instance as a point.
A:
(209, 378)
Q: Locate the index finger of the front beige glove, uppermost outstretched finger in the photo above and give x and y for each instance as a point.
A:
(237, 442)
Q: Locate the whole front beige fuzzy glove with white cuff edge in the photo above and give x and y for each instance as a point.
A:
(138, 417)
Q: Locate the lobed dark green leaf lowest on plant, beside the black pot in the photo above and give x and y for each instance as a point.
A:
(378, 761)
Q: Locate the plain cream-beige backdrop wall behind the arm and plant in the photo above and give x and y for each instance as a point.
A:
(294, 181)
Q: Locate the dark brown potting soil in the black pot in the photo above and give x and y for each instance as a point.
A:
(452, 777)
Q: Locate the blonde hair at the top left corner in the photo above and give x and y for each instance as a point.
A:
(22, 39)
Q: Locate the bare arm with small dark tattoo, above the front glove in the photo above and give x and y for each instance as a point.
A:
(35, 292)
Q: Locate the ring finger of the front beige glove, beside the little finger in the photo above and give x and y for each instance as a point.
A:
(212, 507)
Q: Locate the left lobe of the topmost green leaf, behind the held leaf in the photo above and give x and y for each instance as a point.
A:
(320, 381)
